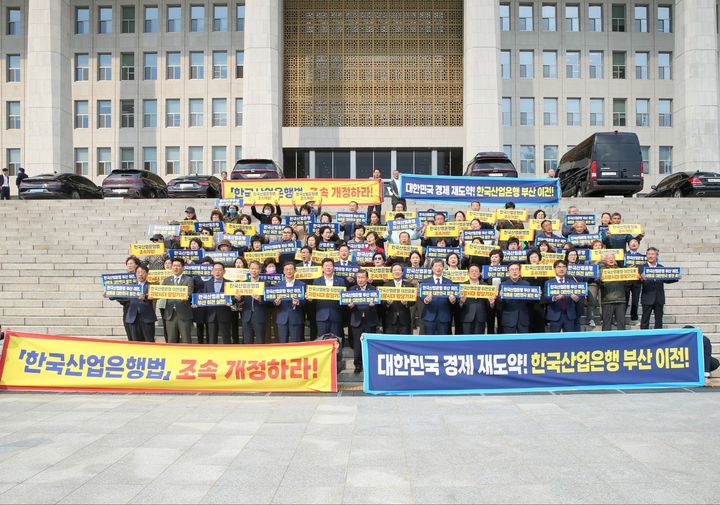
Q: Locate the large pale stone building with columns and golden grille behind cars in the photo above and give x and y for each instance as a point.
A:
(335, 88)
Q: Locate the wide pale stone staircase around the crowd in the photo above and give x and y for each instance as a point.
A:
(53, 253)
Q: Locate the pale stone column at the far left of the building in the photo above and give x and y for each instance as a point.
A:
(48, 97)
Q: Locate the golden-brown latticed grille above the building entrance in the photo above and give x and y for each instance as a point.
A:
(373, 63)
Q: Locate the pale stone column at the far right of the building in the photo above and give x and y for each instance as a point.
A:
(697, 145)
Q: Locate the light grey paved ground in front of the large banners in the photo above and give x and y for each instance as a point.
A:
(590, 448)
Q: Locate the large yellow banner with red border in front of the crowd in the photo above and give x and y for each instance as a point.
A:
(48, 362)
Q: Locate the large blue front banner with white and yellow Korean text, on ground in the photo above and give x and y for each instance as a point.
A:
(478, 364)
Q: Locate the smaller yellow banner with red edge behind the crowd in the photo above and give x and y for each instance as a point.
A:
(284, 191)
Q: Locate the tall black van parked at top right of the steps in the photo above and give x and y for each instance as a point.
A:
(603, 164)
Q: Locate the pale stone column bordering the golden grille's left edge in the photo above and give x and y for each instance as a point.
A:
(262, 85)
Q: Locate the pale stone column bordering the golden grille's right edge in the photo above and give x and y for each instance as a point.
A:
(481, 116)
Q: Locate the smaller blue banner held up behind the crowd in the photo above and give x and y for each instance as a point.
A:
(487, 190)
